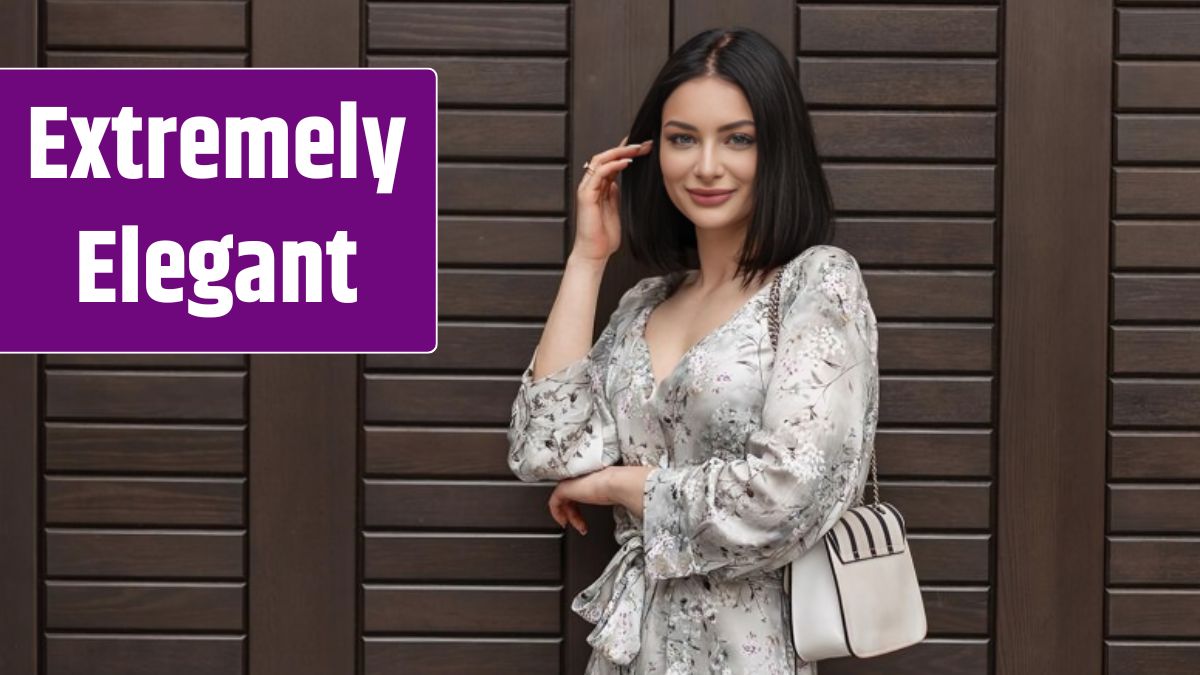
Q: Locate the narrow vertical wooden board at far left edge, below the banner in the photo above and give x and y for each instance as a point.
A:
(19, 515)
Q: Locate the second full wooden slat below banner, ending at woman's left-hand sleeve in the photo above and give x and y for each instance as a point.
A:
(478, 453)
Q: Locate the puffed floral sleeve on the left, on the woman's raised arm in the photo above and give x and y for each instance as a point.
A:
(562, 426)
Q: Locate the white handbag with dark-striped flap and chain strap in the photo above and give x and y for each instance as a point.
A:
(856, 593)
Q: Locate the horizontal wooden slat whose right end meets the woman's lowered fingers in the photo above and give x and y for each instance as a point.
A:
(458, 504)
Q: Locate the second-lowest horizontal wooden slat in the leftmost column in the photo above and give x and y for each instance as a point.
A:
(148, 607)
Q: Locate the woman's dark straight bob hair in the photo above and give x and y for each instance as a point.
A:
(793, 204)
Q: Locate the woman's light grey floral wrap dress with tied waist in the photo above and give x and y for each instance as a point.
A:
(758, 453)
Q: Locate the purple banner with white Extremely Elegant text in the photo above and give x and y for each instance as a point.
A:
(219, 211)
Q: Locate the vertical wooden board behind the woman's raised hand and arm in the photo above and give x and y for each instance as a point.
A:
(619, 46)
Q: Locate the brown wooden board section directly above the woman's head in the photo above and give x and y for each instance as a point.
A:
(773, 19)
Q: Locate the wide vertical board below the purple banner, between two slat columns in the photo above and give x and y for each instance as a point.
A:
(303, 515)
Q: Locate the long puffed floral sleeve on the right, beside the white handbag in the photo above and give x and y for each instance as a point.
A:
(806, 465)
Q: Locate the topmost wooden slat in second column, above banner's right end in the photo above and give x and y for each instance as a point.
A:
(466, 28)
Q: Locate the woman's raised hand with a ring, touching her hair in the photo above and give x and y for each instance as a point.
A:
(597, 214)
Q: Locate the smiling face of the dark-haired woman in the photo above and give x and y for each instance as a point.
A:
(707, 146)
